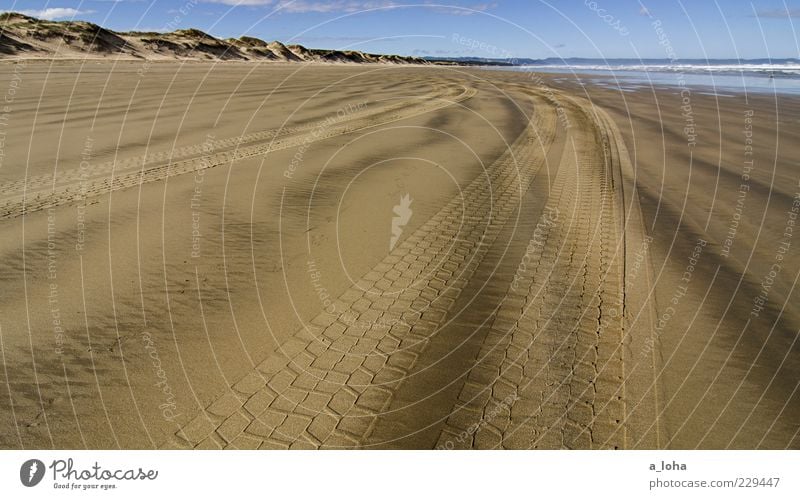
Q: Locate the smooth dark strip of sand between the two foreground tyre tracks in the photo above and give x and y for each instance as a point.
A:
(427, 397)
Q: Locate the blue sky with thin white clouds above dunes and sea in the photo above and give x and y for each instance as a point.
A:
(481, 28)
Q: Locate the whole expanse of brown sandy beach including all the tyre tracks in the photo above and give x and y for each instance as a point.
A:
(211, 255)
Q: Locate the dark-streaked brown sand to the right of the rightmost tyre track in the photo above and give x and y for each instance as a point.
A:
(728, 348)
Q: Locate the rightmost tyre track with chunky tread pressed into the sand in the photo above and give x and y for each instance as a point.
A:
(550, 373)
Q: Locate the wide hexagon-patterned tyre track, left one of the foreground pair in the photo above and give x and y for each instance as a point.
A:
(330, 383)
